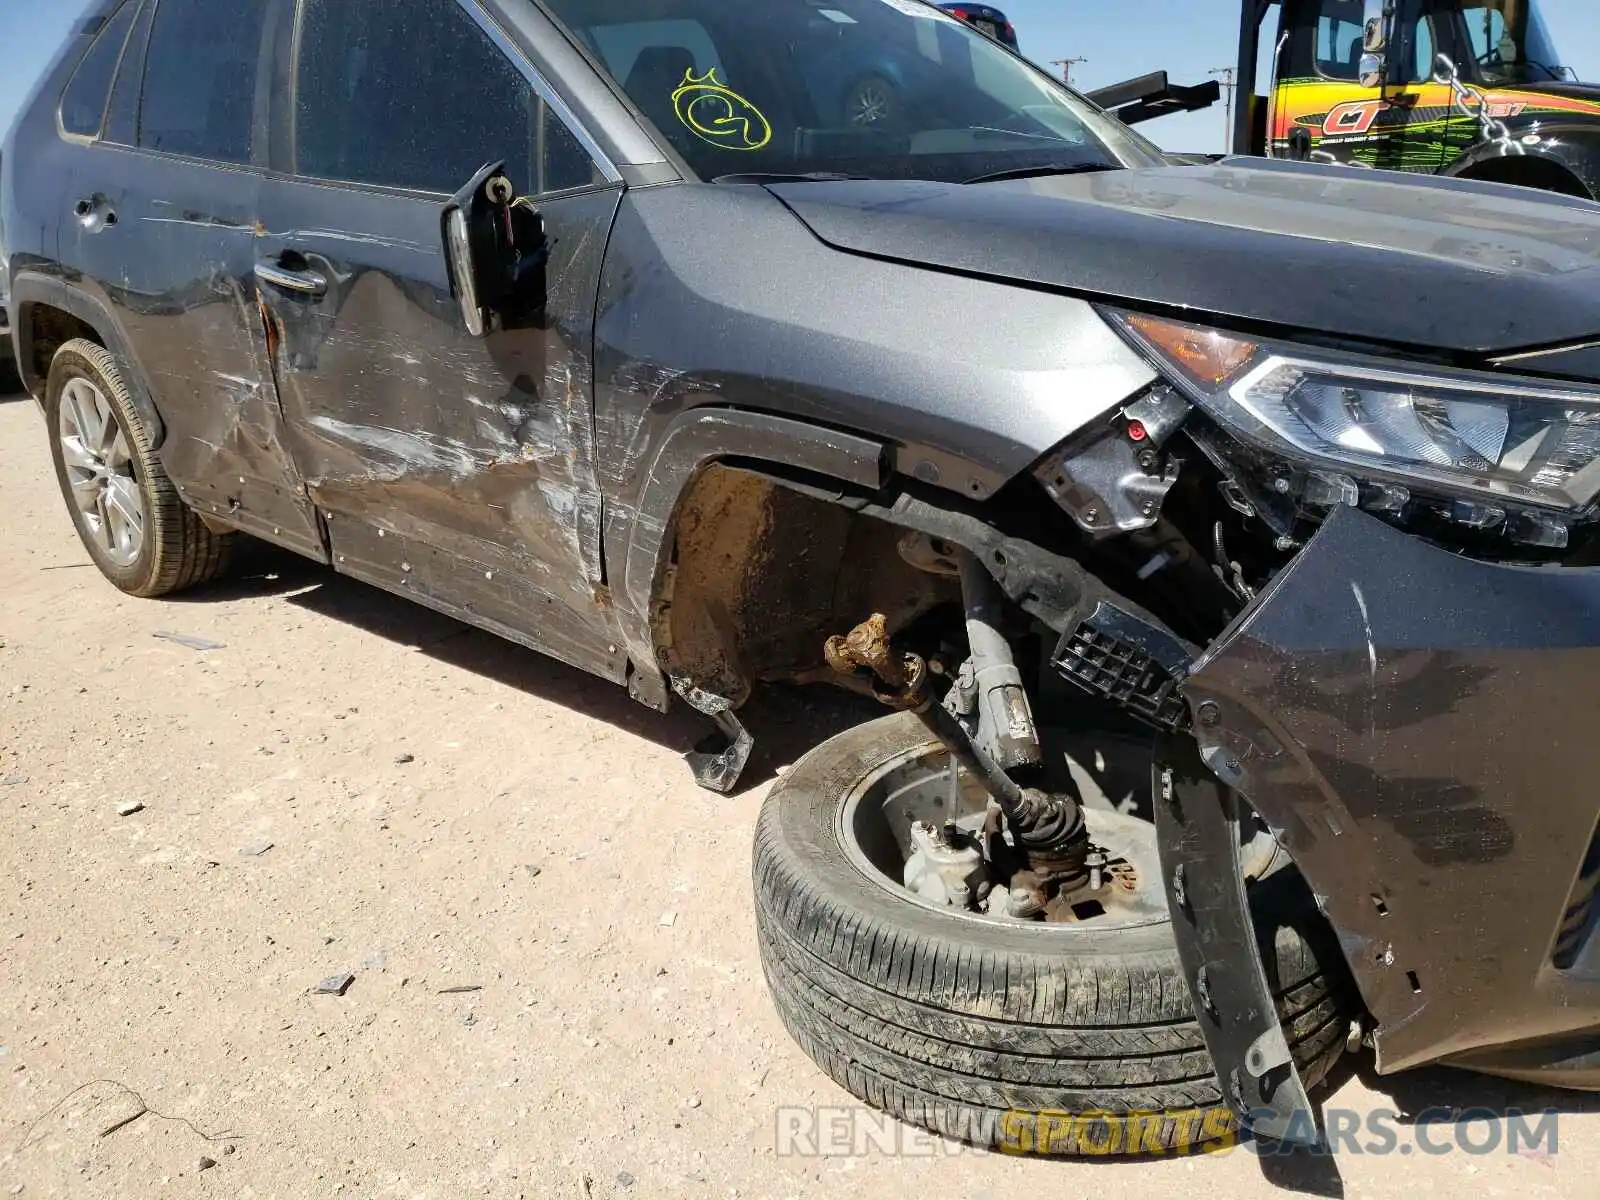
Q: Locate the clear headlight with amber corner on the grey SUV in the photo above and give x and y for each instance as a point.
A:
(1466, 434)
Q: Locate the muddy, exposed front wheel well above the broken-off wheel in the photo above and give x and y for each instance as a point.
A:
(762, 572)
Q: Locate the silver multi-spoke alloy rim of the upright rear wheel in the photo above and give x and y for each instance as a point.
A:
(100, 473)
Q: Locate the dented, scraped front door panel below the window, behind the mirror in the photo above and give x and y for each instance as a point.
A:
(425, 446)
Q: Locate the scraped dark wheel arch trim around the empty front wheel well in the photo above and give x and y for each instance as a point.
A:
(692, 442)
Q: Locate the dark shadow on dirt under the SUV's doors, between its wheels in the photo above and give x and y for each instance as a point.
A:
(785, 721)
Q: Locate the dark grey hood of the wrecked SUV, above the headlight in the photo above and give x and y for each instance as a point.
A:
(1476, 270)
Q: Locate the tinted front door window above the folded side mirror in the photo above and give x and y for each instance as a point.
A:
(372, 110)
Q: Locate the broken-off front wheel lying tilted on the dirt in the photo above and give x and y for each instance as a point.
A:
(985, 1028)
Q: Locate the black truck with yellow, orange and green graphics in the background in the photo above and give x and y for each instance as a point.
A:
(1471, 89)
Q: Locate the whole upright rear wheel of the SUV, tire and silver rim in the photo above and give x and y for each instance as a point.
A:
(129, 514)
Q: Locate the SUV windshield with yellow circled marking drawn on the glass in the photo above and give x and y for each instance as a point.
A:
(881, 89)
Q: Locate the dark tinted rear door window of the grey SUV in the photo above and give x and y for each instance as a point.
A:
(201, 79)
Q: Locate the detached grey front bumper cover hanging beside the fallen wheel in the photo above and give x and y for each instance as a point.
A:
(1423, 734)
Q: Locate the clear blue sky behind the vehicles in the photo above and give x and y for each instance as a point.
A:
(1121, 39)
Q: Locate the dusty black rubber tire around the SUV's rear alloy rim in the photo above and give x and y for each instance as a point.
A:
(180, 551)
